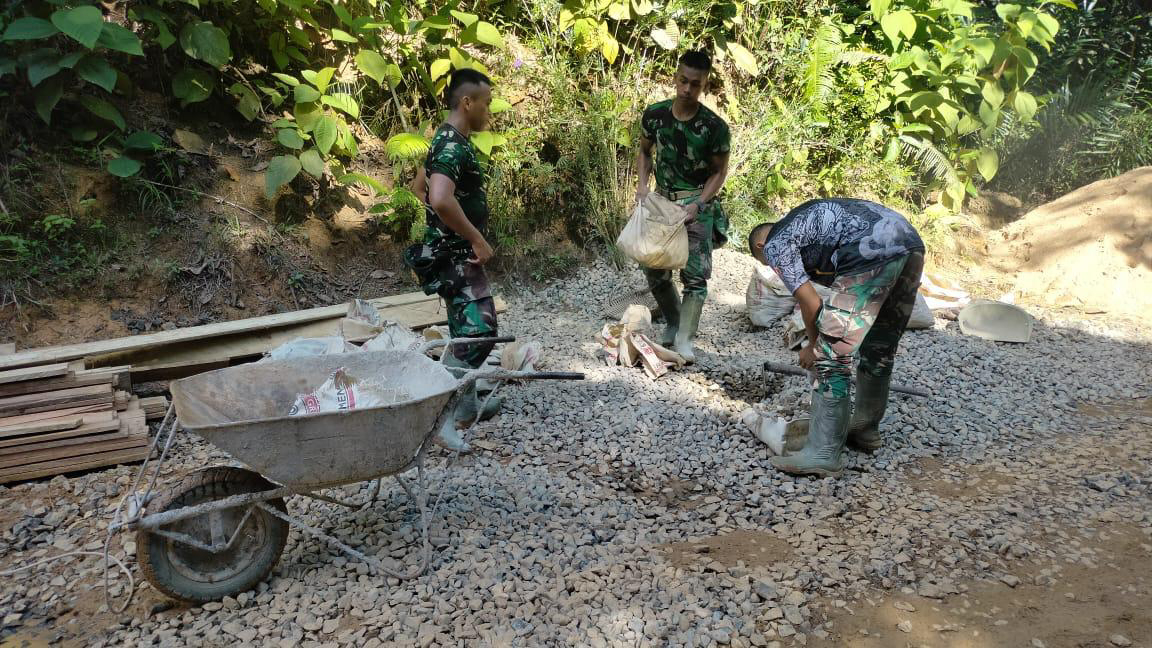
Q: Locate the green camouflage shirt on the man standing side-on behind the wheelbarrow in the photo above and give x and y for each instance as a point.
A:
(452, 155)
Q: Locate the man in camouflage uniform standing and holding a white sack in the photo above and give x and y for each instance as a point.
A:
(686, 146)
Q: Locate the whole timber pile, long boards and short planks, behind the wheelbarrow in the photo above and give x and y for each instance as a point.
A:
(71, 409)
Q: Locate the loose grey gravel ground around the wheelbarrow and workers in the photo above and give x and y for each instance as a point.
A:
(1012, 509)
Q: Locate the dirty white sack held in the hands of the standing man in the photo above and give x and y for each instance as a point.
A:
(656, 236)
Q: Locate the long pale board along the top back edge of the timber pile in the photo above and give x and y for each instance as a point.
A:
(120, 345)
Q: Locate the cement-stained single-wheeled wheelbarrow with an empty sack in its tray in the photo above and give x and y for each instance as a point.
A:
(221, 531)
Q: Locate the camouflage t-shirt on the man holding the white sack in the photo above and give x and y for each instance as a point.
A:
(683, 152)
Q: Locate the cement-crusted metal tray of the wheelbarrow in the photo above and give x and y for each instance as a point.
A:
(245, 412)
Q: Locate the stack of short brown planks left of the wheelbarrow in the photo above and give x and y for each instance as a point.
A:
(62, 418)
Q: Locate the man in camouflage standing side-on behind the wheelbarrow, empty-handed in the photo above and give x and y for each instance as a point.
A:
(451, 261)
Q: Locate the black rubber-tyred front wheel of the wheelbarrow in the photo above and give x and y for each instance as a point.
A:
(198, 576)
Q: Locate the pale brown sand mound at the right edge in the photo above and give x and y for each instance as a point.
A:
(1090, 248)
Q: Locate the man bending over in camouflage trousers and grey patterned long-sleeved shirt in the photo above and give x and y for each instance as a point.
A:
(871, 259)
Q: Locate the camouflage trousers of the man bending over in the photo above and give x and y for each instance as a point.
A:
(866, 315)
